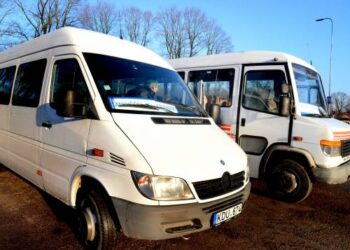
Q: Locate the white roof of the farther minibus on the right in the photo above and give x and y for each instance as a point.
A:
(248, 57)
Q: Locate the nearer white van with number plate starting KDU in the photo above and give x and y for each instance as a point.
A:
(109, 128)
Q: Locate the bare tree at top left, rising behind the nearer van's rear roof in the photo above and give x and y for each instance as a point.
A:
(41, 17)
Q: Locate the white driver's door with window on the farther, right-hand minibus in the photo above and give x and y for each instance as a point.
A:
(261, 122)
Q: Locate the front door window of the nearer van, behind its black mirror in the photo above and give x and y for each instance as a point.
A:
(67, 75)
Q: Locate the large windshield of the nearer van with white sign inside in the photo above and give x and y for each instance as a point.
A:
(135, 87)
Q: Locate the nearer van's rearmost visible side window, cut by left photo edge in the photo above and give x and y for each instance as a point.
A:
(6, 79)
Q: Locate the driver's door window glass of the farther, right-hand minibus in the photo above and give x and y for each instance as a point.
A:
(263, 90)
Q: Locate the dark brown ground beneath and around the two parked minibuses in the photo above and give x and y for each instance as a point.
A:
(30, 219)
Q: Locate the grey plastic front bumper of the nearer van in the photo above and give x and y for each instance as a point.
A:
(164, 222)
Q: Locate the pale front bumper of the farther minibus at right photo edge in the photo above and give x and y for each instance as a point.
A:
(336, 175)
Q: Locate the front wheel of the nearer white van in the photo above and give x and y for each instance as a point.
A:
(96, 227)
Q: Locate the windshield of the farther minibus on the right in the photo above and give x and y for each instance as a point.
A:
(310, 92)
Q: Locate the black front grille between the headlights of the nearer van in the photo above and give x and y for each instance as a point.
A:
(220, 186)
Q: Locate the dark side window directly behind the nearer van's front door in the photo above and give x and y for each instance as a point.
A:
(28, 83)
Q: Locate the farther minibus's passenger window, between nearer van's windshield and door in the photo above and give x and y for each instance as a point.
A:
(218, 85)
